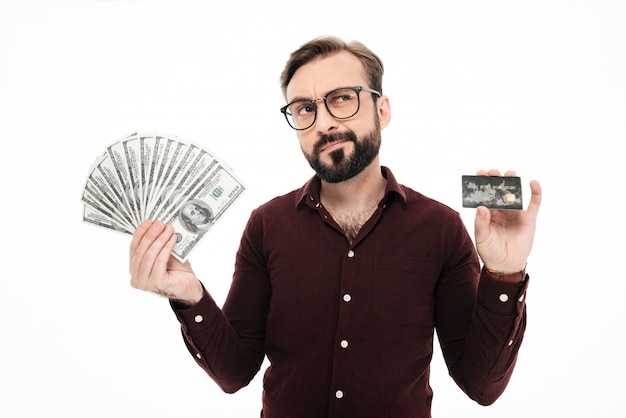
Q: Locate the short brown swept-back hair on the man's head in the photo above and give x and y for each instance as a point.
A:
(328, 45)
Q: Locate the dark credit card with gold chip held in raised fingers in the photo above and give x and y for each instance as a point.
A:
(493, 192)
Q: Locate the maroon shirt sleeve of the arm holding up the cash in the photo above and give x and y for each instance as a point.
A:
(228, 343)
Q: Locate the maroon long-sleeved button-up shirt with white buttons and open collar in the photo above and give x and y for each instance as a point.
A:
(348, 328)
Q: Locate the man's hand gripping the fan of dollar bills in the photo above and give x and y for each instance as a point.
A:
(154, 269)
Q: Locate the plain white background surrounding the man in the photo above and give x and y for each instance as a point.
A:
(535, 86)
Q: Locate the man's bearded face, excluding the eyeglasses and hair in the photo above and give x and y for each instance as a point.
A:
(337, 149)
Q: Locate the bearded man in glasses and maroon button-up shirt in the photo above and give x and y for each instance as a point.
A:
(342, 283)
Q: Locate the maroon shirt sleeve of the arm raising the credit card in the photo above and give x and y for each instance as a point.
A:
(480, 325)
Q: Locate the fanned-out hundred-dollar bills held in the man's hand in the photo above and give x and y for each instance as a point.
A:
(159, 177)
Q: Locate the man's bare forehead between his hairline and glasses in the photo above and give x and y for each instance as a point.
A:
(321, 75)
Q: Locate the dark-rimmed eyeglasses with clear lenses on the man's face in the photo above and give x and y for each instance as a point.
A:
(342, 103)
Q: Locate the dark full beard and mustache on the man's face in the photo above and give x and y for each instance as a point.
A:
(343, 167)
